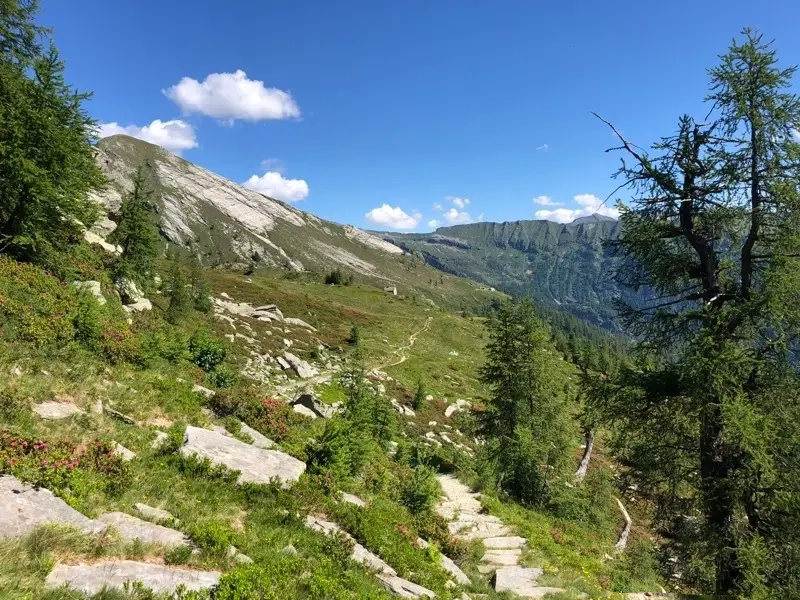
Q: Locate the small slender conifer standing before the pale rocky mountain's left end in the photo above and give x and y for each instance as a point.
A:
(137, 232)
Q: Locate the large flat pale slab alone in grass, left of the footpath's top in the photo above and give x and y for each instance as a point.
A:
(255, 465)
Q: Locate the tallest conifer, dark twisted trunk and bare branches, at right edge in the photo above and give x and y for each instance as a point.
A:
(707, 417)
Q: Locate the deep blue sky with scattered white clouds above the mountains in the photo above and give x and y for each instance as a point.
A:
(391, 115)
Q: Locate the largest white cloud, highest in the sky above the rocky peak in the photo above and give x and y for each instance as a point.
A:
(231, 96)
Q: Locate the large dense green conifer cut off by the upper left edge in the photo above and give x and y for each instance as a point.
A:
(46, 157)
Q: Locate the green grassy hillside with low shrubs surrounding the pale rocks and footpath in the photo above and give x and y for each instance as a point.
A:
(53, 348)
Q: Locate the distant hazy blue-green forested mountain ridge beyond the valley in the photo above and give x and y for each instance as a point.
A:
(563, 265)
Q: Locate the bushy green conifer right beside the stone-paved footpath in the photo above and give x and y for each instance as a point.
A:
(526, 420)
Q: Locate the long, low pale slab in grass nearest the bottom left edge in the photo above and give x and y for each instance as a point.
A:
(91, 579)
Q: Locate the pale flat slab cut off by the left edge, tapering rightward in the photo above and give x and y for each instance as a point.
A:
(24, 508)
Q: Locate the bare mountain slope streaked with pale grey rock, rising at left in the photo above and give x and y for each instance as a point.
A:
(228, 225)
